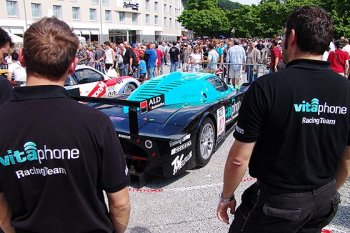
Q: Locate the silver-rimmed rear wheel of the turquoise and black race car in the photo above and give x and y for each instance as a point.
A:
(205, 142)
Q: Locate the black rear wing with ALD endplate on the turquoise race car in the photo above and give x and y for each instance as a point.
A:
(143, 106)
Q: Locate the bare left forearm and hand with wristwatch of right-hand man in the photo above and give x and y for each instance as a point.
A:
(235, 168)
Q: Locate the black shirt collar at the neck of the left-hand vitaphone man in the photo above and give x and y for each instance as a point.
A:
(39, 92)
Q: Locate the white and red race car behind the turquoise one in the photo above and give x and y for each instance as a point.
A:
(93, 83)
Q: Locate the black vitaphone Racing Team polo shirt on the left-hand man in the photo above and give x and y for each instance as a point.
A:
(56, 157)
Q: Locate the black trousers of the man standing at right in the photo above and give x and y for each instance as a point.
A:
(267, 210)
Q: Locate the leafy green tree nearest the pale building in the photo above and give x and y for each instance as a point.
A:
(204, 17)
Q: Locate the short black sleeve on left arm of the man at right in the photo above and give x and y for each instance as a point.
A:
(251, 114)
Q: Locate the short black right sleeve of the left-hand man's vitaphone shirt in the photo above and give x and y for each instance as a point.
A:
(114, 172)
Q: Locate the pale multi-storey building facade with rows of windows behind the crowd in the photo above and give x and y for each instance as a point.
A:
(100, 20)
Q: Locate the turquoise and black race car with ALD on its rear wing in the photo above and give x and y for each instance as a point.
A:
(180, 120)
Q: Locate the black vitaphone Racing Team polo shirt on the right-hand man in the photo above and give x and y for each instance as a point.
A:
(299, 118)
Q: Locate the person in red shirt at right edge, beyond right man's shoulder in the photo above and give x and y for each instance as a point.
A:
(339, 59)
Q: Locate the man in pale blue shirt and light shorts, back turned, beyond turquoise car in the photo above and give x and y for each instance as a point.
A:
(236, 56)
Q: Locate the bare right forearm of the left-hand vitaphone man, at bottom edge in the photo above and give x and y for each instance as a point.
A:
(119, 208)
